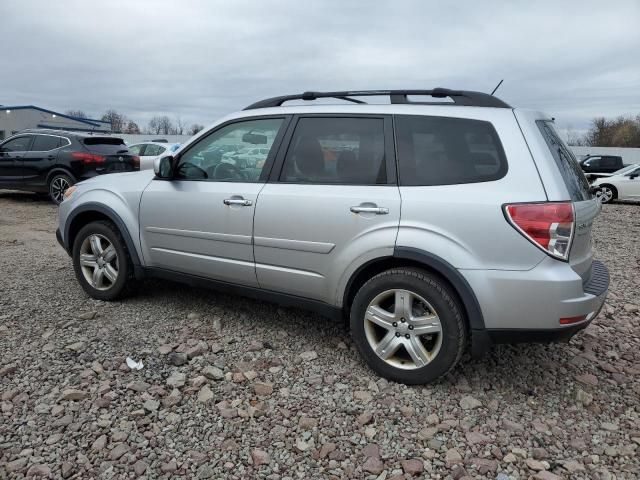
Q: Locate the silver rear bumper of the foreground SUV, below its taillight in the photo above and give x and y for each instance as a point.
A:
(527, 306)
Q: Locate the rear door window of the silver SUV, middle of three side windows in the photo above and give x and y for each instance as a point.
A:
(336, 151)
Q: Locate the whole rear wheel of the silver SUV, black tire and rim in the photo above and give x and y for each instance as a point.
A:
(408, 326)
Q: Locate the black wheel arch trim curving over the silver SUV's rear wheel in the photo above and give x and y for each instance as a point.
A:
(416, 258)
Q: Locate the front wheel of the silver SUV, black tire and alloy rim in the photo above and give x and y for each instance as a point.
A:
(101, 261)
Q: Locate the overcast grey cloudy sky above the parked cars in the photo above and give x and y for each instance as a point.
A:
(200, 60)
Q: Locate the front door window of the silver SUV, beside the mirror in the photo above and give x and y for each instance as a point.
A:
(227, 153)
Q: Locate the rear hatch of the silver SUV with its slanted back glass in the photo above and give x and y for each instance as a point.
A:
(586, 206)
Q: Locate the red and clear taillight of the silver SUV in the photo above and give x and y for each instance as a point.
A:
(549, 226)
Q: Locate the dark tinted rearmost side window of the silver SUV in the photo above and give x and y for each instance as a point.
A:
(447, 151)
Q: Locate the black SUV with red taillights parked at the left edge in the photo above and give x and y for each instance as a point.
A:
(50, 161)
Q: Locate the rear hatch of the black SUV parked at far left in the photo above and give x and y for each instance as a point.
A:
(110, 154)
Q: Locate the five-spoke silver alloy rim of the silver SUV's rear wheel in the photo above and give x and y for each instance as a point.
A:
(403, 329)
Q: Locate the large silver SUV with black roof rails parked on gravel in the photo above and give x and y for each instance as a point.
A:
(433, 226)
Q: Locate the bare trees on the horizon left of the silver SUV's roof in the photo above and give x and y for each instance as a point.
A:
(158, 125)
